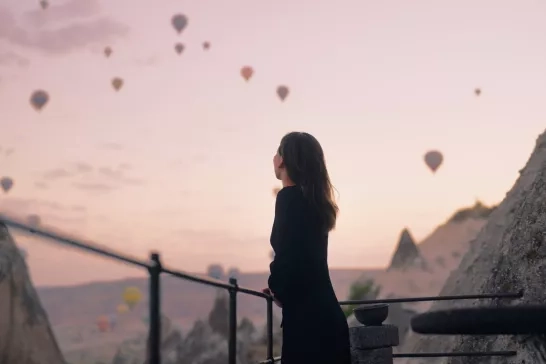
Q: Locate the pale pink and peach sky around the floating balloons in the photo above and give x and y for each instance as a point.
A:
(180, 159)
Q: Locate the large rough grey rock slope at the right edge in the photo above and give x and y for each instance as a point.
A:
(508, 254)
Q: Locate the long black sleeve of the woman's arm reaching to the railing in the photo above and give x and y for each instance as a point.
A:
(285, 270)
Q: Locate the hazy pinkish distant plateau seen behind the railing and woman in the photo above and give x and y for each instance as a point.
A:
(182, 301)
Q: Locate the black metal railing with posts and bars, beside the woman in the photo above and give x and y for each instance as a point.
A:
(155, 269)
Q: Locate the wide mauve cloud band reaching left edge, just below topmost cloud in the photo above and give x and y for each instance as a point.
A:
(62, 39)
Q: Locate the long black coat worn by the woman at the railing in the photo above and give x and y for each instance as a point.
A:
(314, 327)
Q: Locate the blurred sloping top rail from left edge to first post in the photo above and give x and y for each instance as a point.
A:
(88, 246)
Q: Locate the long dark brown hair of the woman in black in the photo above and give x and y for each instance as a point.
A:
(303, 159)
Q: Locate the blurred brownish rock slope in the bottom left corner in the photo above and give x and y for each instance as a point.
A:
(25, 333)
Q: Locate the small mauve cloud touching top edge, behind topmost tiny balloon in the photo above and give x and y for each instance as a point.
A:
(66, 11)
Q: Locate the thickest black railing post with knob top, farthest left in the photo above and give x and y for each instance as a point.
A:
(155, 311)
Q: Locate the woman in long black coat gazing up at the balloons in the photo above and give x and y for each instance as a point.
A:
(314, 327)
